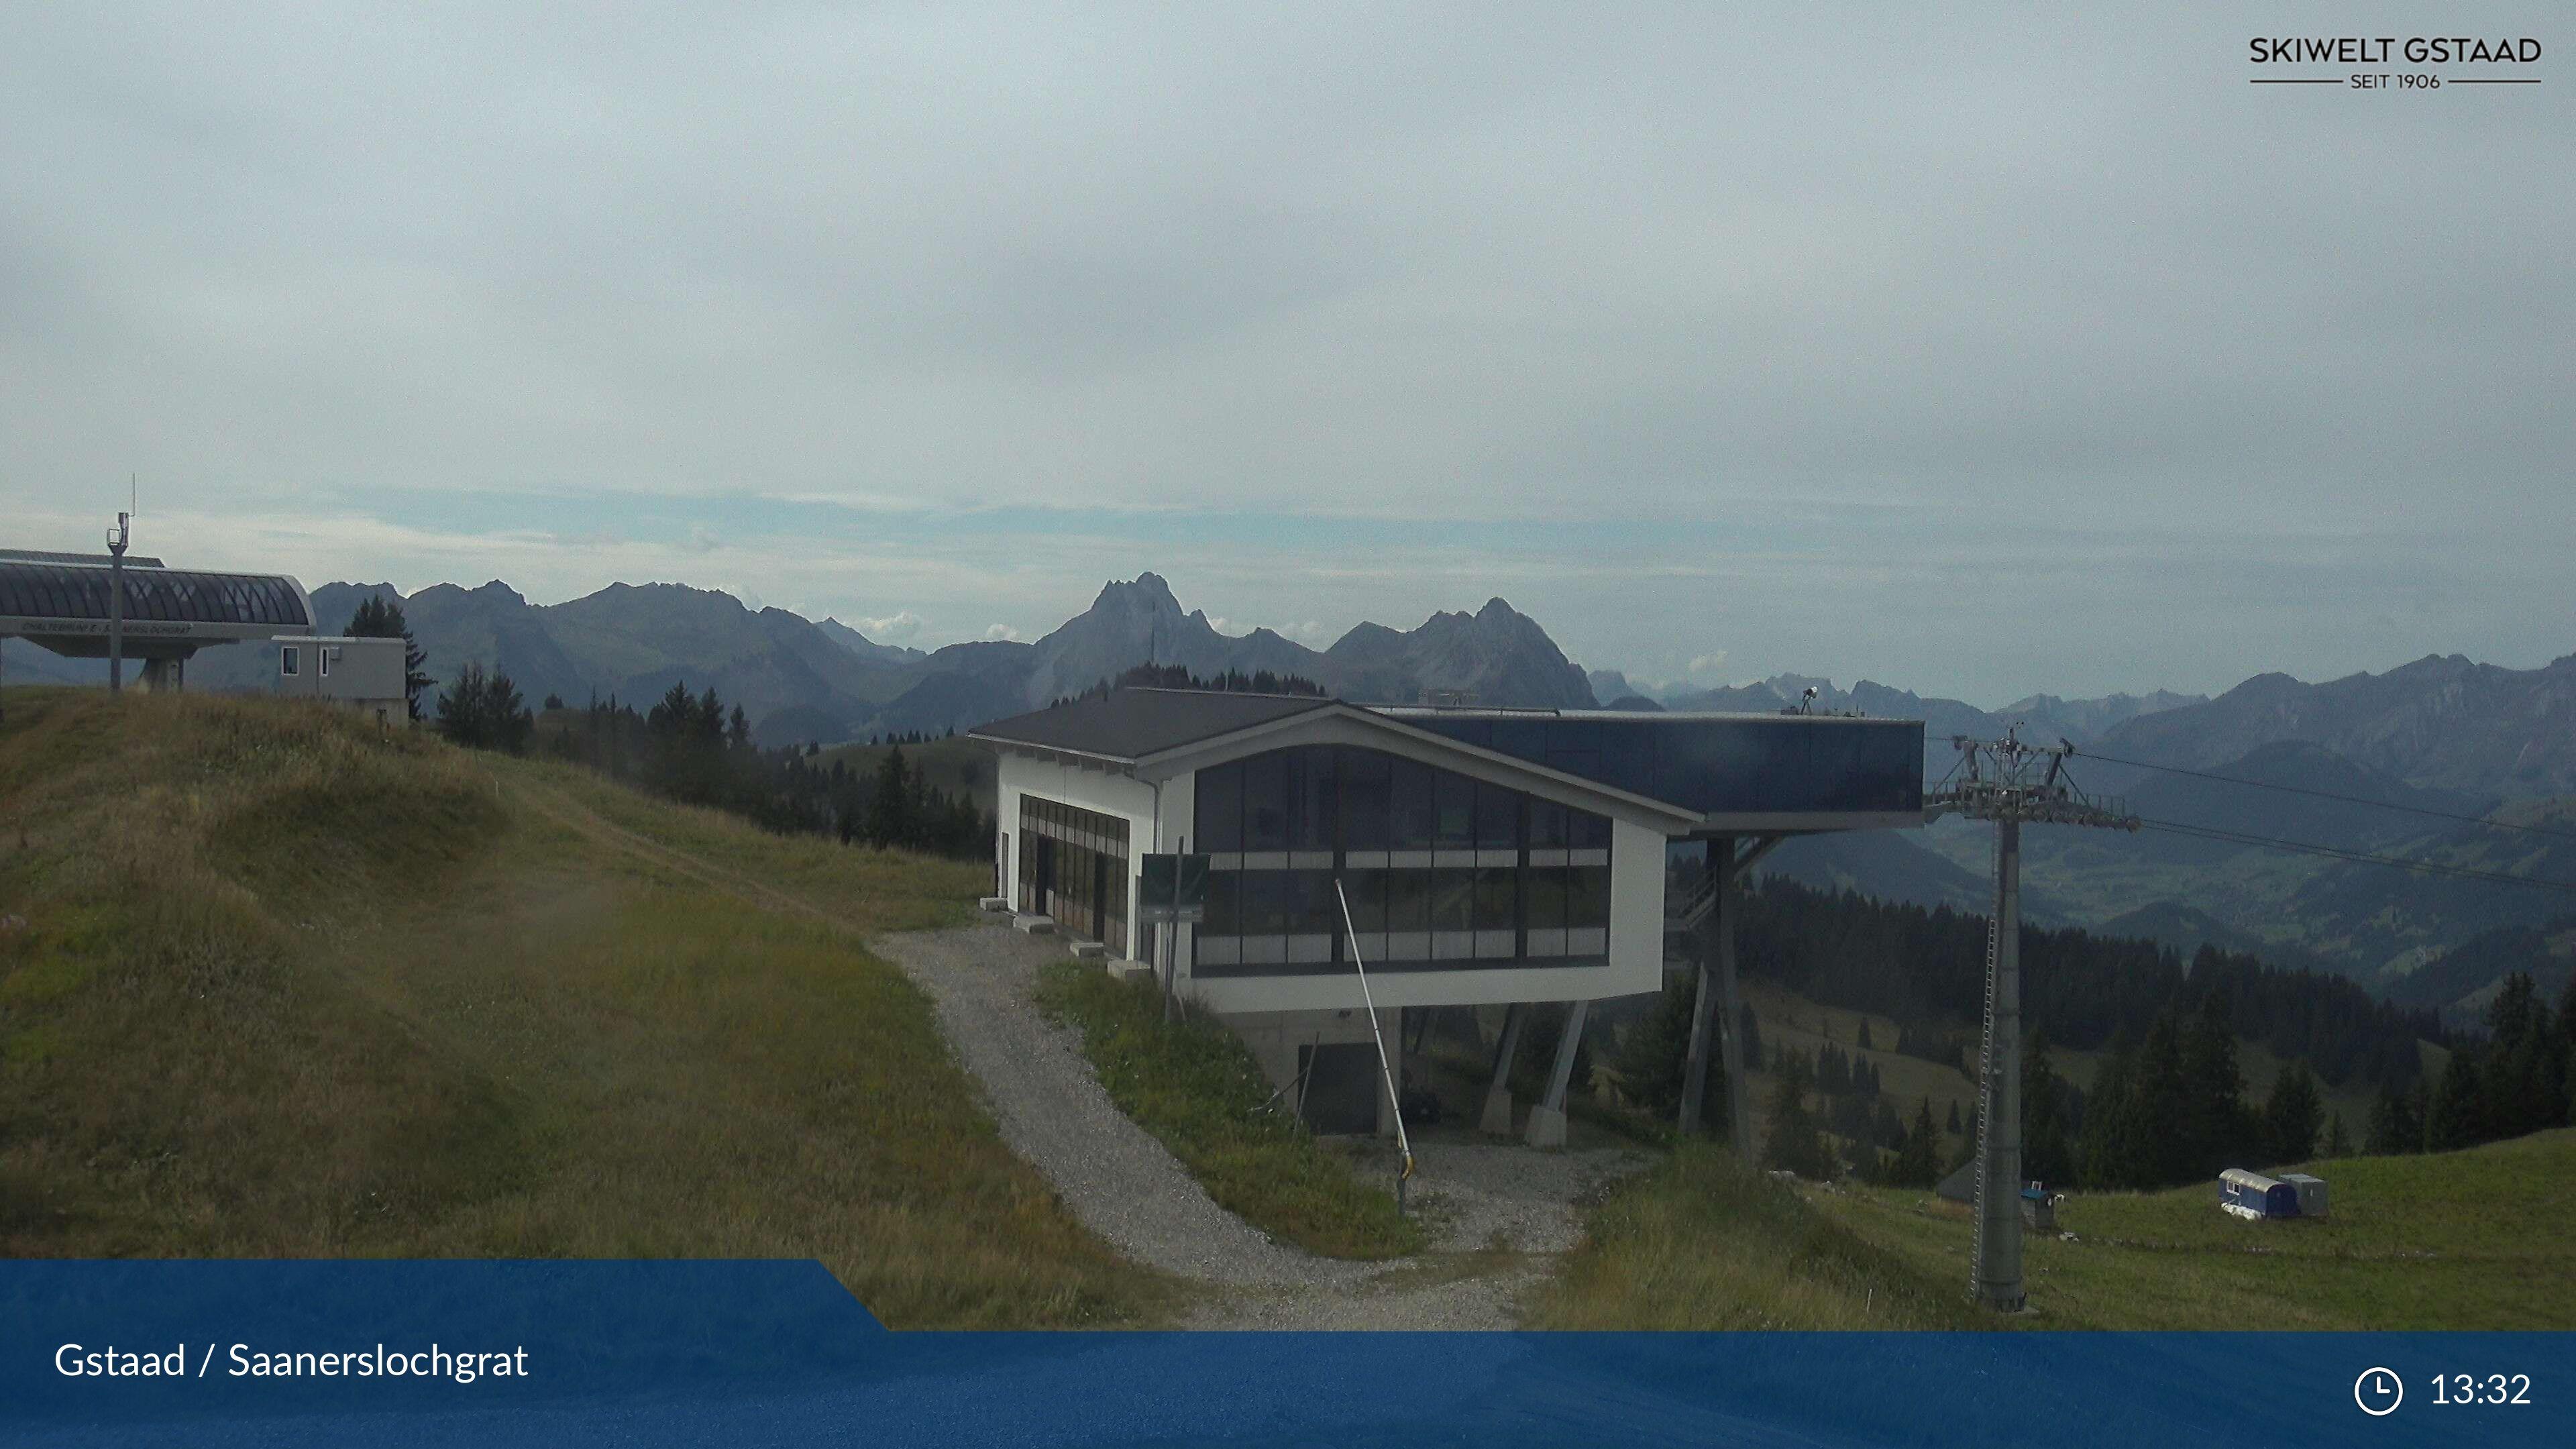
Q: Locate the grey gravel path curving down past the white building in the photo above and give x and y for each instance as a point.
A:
(1495, 1213)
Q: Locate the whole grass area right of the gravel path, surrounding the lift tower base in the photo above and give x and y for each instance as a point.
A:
(2446, 1241)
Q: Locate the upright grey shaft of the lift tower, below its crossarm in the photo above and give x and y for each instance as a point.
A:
(2000, 1107)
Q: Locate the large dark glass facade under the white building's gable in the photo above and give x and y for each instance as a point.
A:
(1441, 870)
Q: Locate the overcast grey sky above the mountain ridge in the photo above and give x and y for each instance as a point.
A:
(1980, 355)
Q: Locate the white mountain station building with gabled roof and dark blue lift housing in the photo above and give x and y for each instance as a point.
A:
(1490, 857)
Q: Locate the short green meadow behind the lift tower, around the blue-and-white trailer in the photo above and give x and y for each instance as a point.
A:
(2469, 1239)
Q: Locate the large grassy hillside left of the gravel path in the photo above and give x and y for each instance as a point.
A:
(274, 984)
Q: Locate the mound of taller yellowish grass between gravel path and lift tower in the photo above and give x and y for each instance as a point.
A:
(1699, 1244)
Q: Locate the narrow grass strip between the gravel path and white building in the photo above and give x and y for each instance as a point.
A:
(1199, 1089)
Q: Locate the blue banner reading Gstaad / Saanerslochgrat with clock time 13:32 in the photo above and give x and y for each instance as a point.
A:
(568, 1355)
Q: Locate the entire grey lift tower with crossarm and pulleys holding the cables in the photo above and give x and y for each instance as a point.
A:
(2008, 783)
